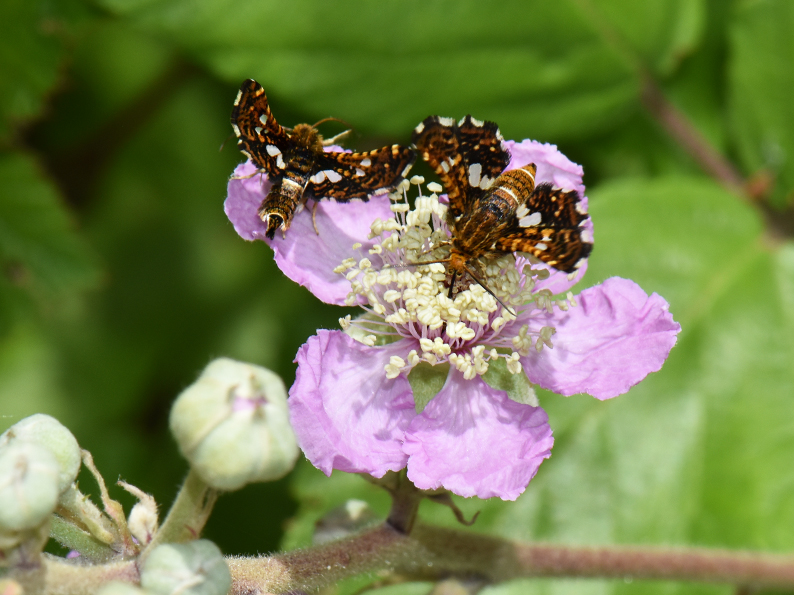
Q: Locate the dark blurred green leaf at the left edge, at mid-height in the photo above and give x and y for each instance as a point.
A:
(40, 249)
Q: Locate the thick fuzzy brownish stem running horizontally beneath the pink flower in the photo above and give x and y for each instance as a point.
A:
(431, 553)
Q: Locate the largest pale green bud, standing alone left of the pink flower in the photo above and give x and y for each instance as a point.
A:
(233, 426)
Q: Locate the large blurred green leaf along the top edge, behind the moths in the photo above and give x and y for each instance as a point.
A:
(540, 69)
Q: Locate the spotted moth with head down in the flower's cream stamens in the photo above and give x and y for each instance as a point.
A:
(493, 212)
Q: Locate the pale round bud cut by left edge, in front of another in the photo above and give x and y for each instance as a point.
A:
(28, 485)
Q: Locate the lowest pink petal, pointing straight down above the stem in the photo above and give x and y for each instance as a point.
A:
(474, 441)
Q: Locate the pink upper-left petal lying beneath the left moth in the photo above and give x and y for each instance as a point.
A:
(303, 256)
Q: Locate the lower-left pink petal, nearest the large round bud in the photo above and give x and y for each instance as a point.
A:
(347, 415)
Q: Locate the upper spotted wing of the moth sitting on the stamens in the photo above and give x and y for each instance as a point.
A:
(467, 155)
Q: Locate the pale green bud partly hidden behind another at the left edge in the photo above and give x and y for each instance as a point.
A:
(48, 432)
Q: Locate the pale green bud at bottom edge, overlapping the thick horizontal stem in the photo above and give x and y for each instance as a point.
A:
(195, 568)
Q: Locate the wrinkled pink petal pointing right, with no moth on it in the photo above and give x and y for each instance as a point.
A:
(615, 337)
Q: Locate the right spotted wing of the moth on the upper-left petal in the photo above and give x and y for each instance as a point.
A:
(343, 176)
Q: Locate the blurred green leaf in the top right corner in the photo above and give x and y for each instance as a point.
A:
(761, 76)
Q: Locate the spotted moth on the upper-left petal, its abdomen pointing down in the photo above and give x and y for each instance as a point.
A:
(299, 168)
